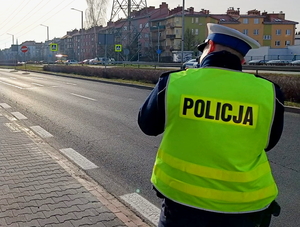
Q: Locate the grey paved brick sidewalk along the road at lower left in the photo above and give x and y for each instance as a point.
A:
(40, 187)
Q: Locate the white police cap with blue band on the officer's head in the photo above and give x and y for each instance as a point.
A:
(229, 37)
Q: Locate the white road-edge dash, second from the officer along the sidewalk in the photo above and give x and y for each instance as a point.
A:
(80, 160)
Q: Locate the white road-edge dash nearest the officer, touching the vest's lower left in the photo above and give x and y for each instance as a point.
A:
(143, 206)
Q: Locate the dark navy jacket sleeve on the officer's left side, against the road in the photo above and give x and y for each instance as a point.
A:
(151, 118)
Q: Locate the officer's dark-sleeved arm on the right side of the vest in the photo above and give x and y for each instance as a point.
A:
(277, 125)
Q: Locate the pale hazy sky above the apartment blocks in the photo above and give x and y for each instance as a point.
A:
(28, 20)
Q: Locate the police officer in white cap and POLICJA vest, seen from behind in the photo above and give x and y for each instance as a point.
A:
(211, 168)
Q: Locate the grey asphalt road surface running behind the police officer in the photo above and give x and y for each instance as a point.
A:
(98, 120)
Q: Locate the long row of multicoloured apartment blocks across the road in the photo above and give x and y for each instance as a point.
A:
(152, 34)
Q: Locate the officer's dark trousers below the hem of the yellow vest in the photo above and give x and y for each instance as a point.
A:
(176, 215)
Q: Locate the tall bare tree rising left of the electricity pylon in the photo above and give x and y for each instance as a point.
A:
(95, 13)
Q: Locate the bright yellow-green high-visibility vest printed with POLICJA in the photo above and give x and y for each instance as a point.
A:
(212, 154)
